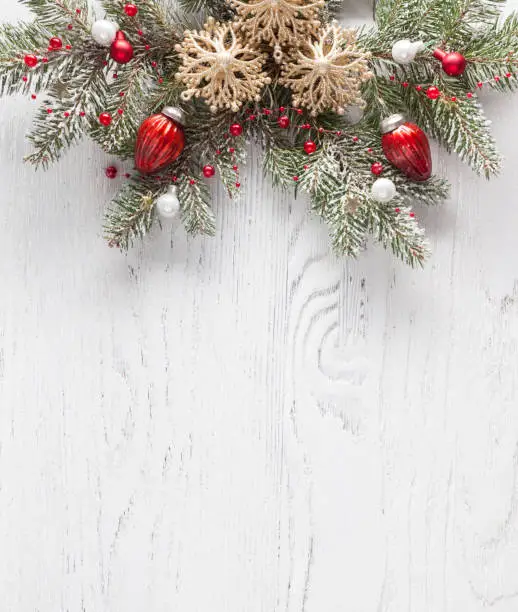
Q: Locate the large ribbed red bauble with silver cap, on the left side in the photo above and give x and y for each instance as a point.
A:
(160, 140)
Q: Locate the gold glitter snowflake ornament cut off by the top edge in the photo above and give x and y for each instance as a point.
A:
(278, 22)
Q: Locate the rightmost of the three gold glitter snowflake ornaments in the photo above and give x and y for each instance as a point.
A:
(327, 73)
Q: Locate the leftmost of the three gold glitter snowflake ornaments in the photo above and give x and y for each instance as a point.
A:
(220, 68)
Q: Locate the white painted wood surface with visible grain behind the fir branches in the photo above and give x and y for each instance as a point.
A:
(248, 424)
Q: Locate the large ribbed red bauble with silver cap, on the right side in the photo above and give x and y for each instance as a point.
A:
(406, 147)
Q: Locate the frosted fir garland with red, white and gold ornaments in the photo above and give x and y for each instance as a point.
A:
(149, 83)
